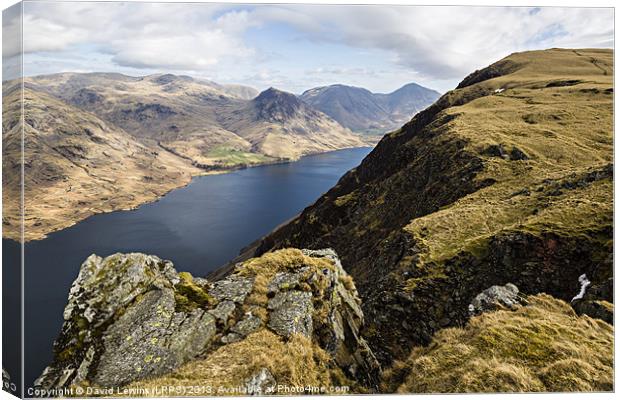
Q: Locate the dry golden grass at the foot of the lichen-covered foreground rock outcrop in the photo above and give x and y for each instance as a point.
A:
(297, 362)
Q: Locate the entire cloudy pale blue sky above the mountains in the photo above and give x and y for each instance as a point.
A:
(291, 47)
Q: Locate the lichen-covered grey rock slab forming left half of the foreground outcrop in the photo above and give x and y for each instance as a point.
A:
(122, 313)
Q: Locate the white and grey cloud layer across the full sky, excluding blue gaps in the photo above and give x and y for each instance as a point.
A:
(434, 43)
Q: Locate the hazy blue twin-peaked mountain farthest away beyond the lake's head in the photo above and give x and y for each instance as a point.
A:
(363, 111)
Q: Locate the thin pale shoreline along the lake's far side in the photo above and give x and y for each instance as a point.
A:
(156, 198)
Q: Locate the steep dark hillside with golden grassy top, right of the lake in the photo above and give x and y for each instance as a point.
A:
(507, 178)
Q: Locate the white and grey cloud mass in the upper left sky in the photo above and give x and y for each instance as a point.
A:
(140, 35)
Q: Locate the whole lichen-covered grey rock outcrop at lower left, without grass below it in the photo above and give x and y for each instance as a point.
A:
(133, 316)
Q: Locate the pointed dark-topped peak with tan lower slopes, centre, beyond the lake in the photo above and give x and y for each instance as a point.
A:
(278, 124)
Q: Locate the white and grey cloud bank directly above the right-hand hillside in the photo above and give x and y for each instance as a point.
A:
(448, 42)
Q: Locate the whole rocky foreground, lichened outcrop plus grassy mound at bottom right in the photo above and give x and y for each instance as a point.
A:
(291, 321)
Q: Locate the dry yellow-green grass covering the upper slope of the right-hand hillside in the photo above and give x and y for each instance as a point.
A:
(565, 131)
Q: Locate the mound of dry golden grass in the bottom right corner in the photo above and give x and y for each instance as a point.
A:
(541, 347)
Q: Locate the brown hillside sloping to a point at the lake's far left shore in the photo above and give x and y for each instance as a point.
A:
(75, 165)
